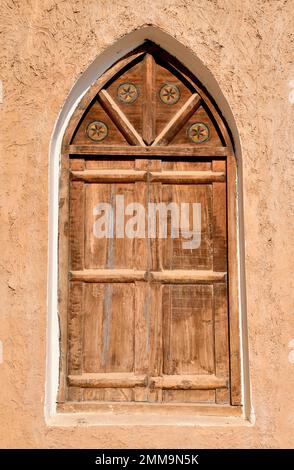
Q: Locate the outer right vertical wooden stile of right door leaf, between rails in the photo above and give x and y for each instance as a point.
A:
(221, 321)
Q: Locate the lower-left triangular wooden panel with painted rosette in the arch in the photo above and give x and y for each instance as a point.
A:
(97, 128)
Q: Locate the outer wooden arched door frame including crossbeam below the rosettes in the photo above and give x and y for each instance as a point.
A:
(78, 152)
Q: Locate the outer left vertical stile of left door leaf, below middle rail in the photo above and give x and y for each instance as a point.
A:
(75, 335)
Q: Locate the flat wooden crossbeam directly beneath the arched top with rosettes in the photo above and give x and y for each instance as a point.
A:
(203, 151)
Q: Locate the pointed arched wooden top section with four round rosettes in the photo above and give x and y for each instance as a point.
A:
(150, 101)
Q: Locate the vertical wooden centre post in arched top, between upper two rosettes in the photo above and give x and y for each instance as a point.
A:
(149, 100)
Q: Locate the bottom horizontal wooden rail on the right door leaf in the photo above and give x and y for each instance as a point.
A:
(188, 382)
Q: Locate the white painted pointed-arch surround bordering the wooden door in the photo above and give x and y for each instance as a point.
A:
(103, 62)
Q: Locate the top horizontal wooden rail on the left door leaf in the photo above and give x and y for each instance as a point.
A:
(109, 176)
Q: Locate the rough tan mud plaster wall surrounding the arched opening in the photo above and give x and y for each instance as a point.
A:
(45, 46)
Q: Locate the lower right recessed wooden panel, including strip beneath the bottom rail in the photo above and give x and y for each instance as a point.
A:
(188, 342)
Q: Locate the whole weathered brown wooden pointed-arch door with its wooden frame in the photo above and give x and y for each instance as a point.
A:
(148, 296)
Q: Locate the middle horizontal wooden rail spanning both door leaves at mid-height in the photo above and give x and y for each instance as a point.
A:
(176, 276)
